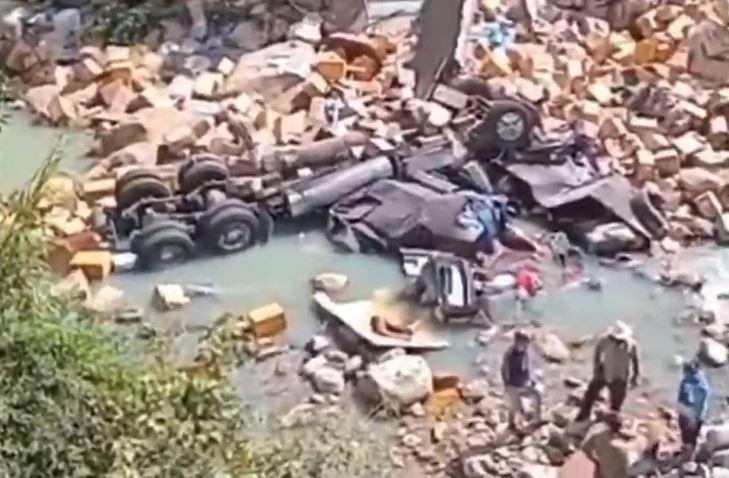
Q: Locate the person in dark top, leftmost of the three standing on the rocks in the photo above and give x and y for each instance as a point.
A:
(518, 380)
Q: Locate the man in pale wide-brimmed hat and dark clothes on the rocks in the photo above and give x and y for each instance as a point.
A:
(615, 355)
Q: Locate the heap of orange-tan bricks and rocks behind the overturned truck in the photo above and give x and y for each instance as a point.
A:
(648, 91)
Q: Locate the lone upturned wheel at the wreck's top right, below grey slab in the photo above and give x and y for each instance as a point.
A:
(508, 124)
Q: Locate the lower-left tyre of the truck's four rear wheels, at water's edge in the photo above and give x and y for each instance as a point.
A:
(162, 243)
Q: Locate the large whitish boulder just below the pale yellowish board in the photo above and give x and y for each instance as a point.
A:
(399, 381)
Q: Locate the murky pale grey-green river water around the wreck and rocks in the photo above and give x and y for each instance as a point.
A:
(280, 272)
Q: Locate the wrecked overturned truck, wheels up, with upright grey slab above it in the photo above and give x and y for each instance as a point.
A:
(385, 199)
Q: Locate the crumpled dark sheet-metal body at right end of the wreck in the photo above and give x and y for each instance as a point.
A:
(563, 176)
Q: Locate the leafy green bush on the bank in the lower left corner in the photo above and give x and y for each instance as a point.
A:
(74, 402)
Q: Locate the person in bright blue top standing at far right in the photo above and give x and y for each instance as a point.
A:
(693, 405)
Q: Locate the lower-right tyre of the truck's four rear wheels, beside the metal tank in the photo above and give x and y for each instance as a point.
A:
(230, 227)
